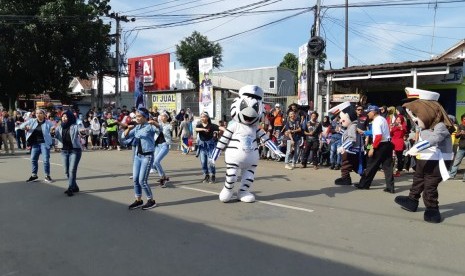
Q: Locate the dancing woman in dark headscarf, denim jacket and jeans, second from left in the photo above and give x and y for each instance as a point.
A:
(68, 133)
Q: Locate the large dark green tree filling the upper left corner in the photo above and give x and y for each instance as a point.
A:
(46, 43)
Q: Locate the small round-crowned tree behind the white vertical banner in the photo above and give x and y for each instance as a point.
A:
(193, 48)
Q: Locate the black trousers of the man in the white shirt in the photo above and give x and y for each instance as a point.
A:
(381, 156)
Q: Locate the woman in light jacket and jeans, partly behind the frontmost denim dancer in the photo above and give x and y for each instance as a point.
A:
(162, 146)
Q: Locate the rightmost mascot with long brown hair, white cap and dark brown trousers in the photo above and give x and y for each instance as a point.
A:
(433, 152)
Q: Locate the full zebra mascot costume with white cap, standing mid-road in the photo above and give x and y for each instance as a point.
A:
(240, 142)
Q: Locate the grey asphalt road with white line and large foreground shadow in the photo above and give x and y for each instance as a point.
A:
(301, 224)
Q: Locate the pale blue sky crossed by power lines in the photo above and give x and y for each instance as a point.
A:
(379, 31)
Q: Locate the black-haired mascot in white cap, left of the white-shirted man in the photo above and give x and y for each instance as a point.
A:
(352, 143)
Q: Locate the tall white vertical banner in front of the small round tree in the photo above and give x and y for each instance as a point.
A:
(206, 86)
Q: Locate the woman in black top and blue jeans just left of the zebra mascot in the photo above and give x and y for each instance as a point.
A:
(206, 145)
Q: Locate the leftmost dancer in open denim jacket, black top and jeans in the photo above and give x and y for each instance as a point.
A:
(38, 135)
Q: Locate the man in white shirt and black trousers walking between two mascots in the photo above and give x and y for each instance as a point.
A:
(380, 152)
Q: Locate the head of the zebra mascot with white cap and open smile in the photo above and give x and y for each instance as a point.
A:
(248, 107)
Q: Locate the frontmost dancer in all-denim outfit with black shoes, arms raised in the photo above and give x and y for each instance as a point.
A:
(144, 135)
